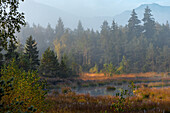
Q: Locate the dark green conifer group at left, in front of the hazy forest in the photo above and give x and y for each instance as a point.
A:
(27, 58)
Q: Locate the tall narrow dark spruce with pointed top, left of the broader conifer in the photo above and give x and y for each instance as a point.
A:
(31, 53)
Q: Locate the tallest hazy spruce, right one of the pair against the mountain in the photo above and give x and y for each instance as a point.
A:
(149, 23)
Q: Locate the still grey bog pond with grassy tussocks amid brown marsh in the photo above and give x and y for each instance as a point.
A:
(108, 87)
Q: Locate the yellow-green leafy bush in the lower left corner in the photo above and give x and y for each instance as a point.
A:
(26, 87)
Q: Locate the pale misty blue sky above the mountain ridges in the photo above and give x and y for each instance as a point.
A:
(99, 7)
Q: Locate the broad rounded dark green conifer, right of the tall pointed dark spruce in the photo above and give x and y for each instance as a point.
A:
(49, 66)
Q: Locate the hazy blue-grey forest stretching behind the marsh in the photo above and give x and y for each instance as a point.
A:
(143, 44)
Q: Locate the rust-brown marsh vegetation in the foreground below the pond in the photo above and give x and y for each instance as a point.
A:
(145, 99)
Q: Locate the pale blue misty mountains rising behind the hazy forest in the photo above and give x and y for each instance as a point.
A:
(43, 14)
